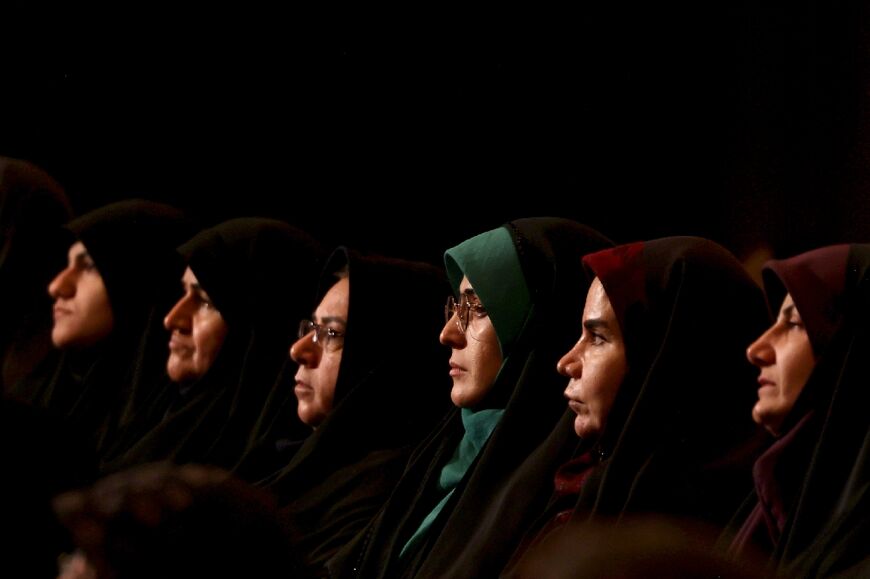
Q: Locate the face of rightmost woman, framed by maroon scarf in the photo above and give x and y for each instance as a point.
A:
(785, 357)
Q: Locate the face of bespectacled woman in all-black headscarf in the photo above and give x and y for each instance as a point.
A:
(319, 360)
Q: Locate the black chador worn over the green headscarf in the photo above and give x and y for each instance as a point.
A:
(529, 390)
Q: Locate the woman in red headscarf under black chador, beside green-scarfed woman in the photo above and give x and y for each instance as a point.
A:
(657, 383)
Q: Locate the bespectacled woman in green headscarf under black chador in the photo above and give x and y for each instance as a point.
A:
(519, 293)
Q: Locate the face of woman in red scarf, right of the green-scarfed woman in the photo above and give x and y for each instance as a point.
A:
(596, 365)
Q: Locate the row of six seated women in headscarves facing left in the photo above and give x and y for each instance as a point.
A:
(578, 388)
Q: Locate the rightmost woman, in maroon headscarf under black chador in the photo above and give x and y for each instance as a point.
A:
(809, 511)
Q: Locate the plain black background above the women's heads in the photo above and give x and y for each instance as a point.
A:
(745, 122)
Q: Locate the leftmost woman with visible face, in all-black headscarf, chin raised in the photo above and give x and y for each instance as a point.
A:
(121, 268)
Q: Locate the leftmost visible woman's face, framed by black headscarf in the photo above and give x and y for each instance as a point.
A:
(82, 312)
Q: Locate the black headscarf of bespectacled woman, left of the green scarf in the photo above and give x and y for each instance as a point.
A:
(392, 388)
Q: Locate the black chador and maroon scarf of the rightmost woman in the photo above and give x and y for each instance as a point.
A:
(821, 468)
